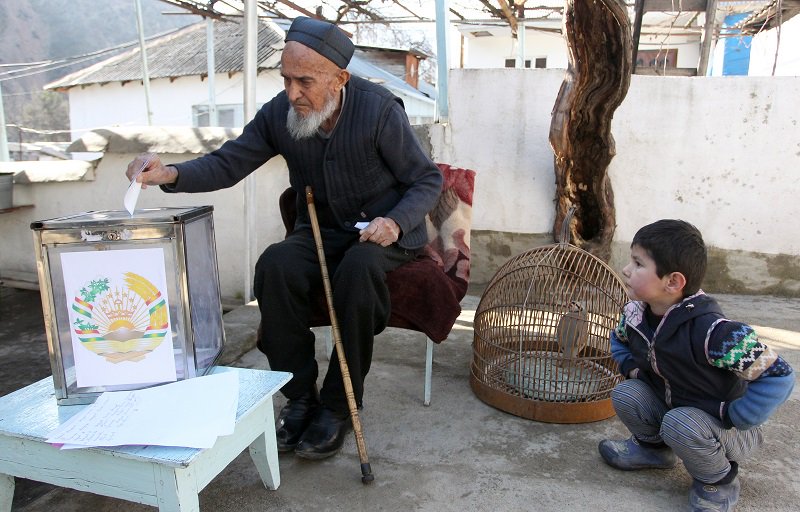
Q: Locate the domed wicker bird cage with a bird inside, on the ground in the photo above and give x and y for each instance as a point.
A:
(541, 348)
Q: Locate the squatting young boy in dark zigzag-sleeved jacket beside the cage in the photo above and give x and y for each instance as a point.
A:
(698, 385)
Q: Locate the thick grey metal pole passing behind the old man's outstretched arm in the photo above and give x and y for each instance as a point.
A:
(250, 71)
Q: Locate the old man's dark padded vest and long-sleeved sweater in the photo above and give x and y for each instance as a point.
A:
(371, 165)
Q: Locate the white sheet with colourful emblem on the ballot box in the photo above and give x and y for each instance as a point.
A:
(119, 318)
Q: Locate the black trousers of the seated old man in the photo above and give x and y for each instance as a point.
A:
(288, 281)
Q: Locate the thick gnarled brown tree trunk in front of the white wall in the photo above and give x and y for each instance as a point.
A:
(599, 43)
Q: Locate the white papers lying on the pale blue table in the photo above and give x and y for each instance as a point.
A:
(190, 413)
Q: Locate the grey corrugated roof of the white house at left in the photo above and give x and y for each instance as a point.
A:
(182, 53)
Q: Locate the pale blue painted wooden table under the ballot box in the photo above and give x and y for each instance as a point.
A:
(165, 477)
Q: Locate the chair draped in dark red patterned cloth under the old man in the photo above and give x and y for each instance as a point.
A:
(425, 293)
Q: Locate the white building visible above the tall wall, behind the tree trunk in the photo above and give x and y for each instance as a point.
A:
(669, 42)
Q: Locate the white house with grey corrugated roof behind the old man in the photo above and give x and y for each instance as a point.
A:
(111, 93)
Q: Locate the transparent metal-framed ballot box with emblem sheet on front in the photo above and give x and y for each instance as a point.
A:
(129, 301)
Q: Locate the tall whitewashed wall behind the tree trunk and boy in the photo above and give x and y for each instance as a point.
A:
(722, 153)
